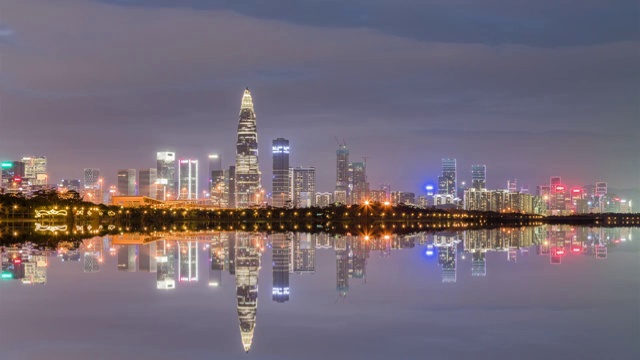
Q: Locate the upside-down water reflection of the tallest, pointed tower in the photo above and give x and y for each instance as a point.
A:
(247, 268)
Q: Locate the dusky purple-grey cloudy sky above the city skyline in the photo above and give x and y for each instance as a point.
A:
(530, 88)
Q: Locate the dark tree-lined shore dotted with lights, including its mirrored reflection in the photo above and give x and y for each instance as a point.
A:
(47, 215)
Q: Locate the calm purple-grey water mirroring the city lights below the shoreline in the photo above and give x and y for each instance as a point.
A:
(547, 292)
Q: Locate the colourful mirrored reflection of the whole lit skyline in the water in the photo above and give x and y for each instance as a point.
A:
(454, 251)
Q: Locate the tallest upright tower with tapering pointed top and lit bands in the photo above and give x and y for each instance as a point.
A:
(247, 176)
